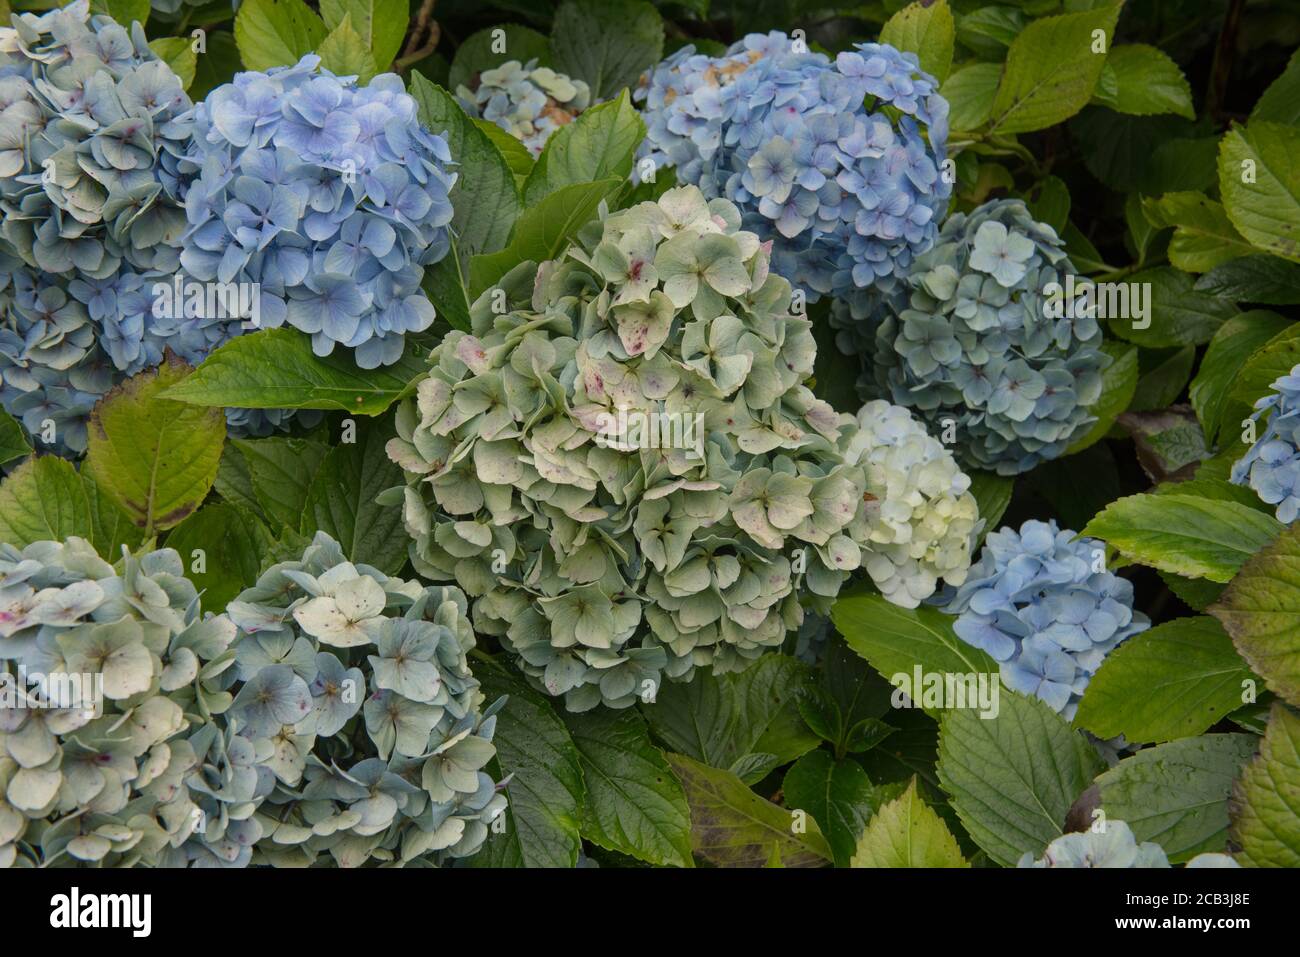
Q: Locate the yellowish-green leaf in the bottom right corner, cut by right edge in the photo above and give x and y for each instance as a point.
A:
(1263, 808)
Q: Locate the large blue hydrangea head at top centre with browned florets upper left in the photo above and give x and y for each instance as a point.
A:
(839, 163)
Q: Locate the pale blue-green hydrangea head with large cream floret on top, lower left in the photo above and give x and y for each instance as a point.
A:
(357, 709)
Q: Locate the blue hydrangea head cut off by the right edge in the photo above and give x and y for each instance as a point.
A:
(1272, 466)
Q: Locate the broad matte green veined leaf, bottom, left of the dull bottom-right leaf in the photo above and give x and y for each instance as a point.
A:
(1013, 778)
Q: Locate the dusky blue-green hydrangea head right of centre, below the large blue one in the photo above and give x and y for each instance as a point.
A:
(974, 341)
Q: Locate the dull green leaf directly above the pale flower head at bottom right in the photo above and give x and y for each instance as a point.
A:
(1177, 794)
